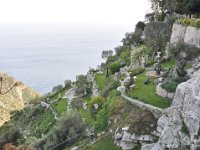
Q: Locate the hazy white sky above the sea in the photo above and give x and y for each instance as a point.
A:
(83, 11)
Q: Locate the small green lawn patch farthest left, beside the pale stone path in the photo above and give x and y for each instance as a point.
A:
(61, 106)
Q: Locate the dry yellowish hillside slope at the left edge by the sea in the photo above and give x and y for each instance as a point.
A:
(15, 99)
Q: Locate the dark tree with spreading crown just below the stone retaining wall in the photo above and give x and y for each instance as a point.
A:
(183, 52)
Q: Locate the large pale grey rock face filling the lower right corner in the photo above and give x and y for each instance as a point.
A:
(179, 126)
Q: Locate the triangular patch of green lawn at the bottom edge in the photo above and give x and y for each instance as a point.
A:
(104, 144)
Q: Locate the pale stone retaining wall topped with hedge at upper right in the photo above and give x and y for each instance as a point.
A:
(189, 35)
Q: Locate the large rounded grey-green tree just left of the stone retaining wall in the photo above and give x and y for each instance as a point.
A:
(157, 34)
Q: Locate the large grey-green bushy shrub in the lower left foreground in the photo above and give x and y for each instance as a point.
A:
(68, 126)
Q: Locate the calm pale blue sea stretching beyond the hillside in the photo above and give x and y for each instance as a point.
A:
(45, 55)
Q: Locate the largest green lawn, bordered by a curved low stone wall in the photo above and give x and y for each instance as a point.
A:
(147, 93)
